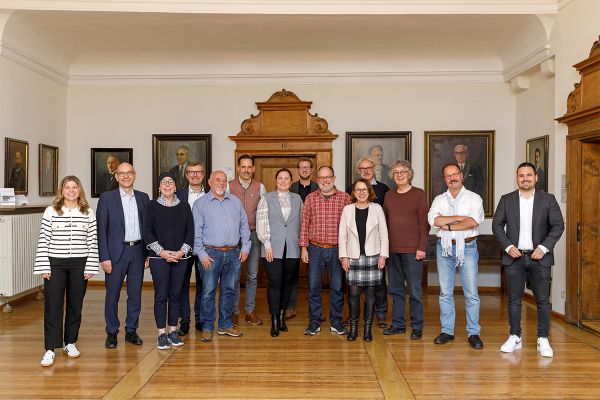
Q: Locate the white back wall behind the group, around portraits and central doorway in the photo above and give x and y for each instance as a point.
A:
(128, 116)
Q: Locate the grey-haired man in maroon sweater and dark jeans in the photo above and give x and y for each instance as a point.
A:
(406, 214)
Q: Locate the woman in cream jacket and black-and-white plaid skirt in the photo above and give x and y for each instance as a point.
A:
(363, 248)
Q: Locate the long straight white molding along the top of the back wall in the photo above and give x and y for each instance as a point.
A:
(289, 78)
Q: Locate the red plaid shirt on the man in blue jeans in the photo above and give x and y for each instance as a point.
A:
(321, 217)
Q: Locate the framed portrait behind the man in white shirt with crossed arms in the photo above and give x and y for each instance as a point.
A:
(473, 151)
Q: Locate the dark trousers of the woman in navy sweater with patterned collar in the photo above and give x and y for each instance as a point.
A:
(167, 279)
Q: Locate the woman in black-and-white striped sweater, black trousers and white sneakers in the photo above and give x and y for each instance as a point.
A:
(67, 256)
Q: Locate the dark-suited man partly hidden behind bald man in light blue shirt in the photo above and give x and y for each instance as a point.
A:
(195, 173)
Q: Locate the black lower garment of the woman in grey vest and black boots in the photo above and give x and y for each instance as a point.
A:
(280, 272)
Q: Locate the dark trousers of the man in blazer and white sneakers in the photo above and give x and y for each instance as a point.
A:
(524, 268)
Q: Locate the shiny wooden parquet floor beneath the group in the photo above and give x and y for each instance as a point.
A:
(294, 366)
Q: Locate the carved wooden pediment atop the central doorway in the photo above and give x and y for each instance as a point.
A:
(284, 114)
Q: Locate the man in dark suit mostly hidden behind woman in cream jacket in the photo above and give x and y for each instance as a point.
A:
(366, 170)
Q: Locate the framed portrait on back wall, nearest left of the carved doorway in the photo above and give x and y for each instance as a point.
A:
(172, 153)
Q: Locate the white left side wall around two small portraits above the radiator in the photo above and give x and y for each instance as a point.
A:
(32, 108)
